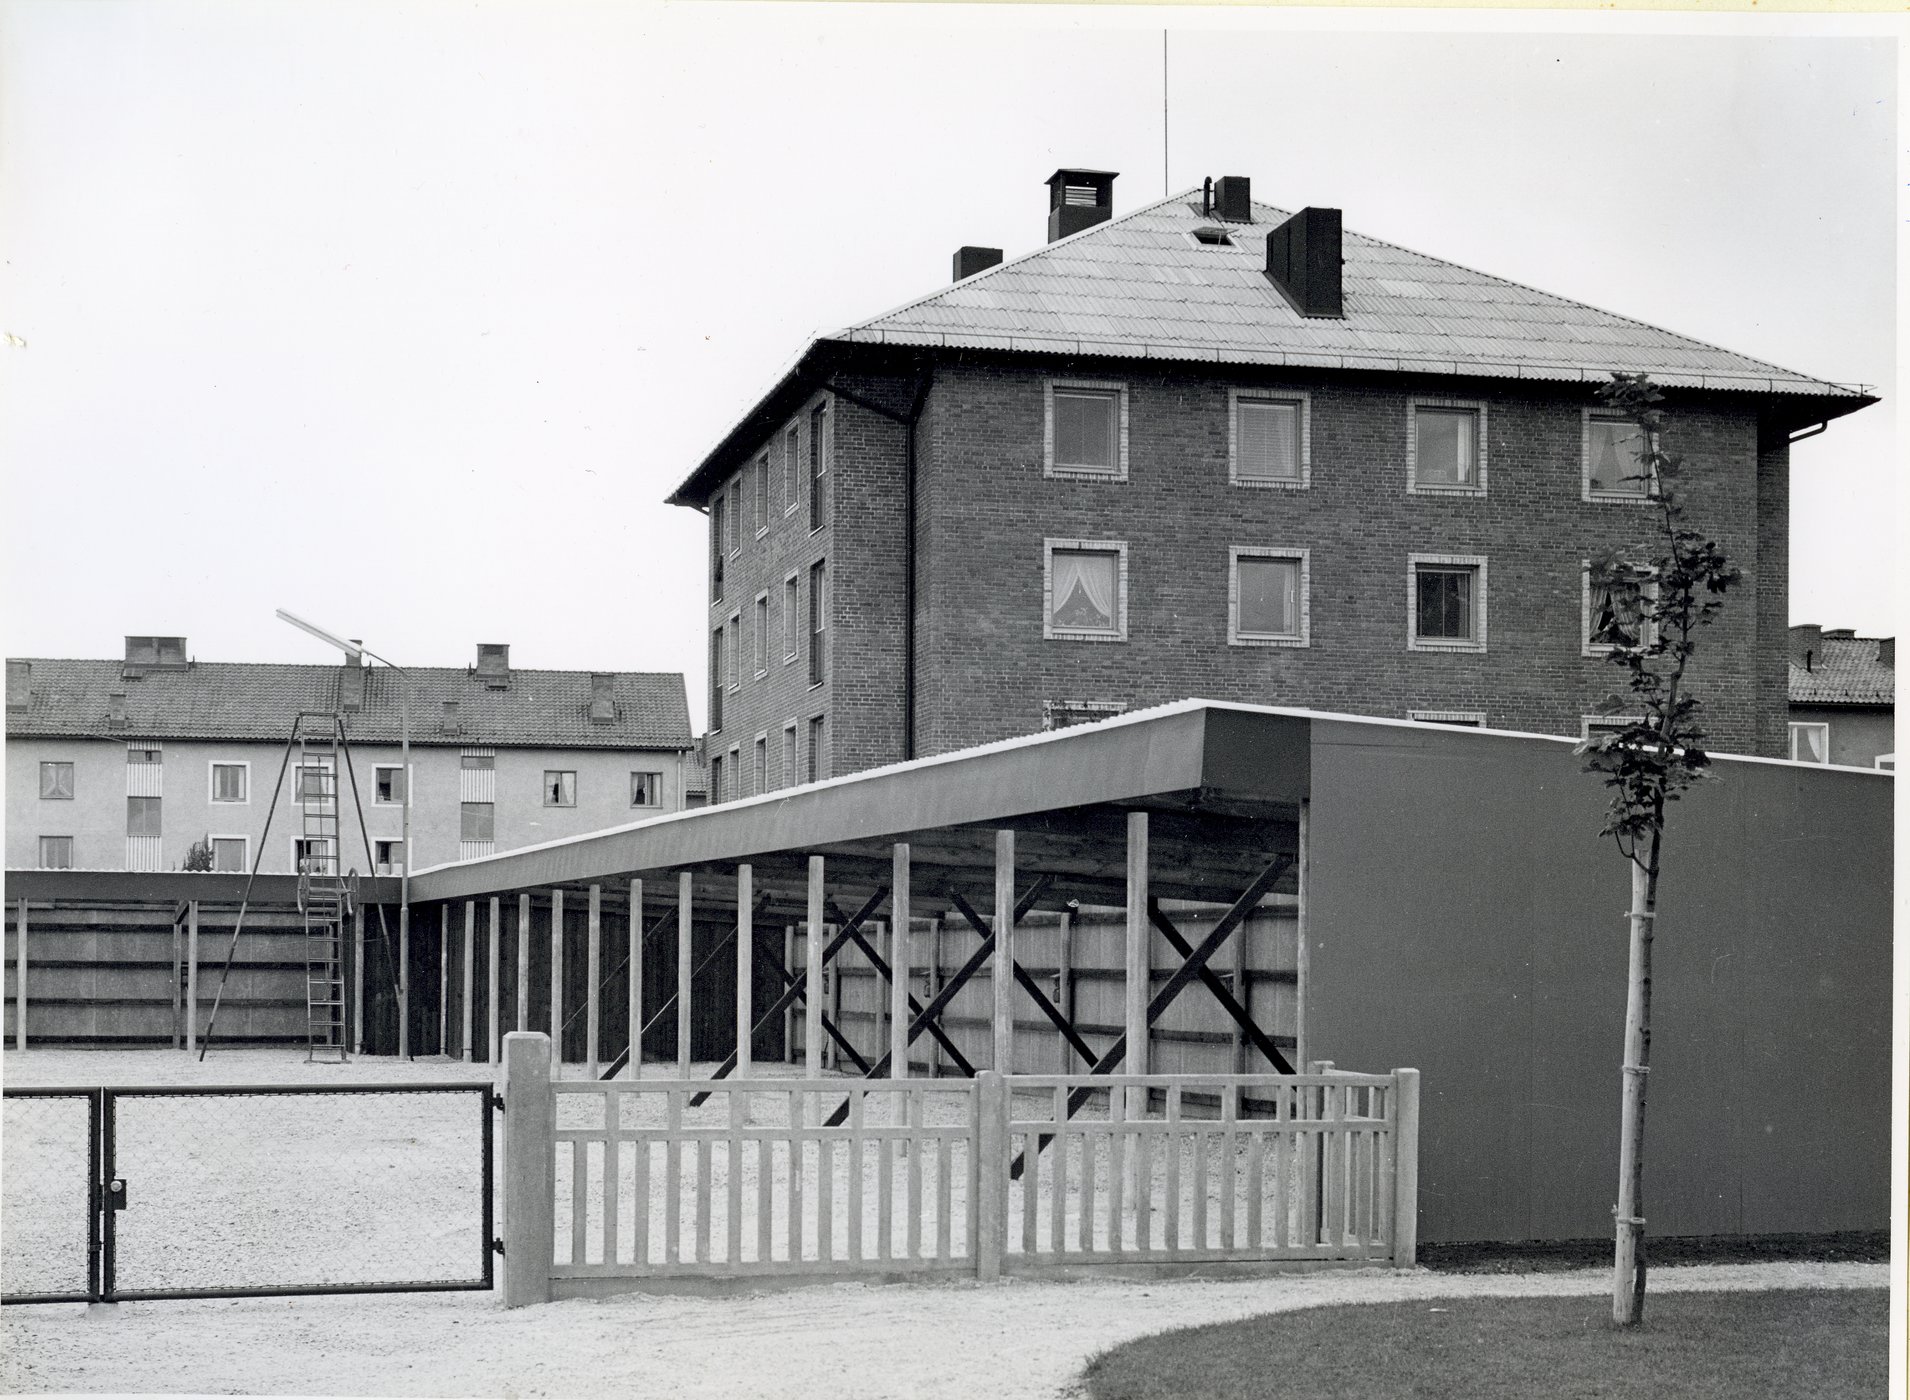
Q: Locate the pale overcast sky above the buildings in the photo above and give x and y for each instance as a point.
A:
(408, 318)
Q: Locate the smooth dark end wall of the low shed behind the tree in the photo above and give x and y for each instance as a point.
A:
(1468, 922)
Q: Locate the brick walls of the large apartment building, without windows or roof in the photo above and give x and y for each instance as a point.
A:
(985, 507)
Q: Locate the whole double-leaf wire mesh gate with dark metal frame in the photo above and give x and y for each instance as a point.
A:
(245, 1191)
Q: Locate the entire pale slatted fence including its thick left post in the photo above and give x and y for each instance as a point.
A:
(614, 1185)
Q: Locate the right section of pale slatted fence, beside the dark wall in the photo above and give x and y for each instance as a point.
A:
(1200, 1170)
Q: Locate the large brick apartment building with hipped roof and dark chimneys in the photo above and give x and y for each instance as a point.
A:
(1216, 450)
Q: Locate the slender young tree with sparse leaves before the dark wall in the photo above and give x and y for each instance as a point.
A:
(1649, 601)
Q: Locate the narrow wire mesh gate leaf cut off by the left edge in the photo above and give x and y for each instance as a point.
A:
(49, 1195)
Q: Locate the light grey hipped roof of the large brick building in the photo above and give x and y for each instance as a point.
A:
(1143, 287)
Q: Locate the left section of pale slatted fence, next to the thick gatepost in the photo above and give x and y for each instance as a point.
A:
(740, 1177)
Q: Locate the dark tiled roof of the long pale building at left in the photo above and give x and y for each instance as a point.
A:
(242, 700)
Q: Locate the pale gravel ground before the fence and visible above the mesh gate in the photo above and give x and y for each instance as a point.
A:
(826, 1342)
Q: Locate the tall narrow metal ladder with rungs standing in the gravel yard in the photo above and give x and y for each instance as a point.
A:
(324, 893)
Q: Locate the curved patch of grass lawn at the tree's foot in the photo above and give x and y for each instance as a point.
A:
(1693, 1346)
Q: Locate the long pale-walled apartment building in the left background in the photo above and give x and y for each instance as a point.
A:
(129, 765)
